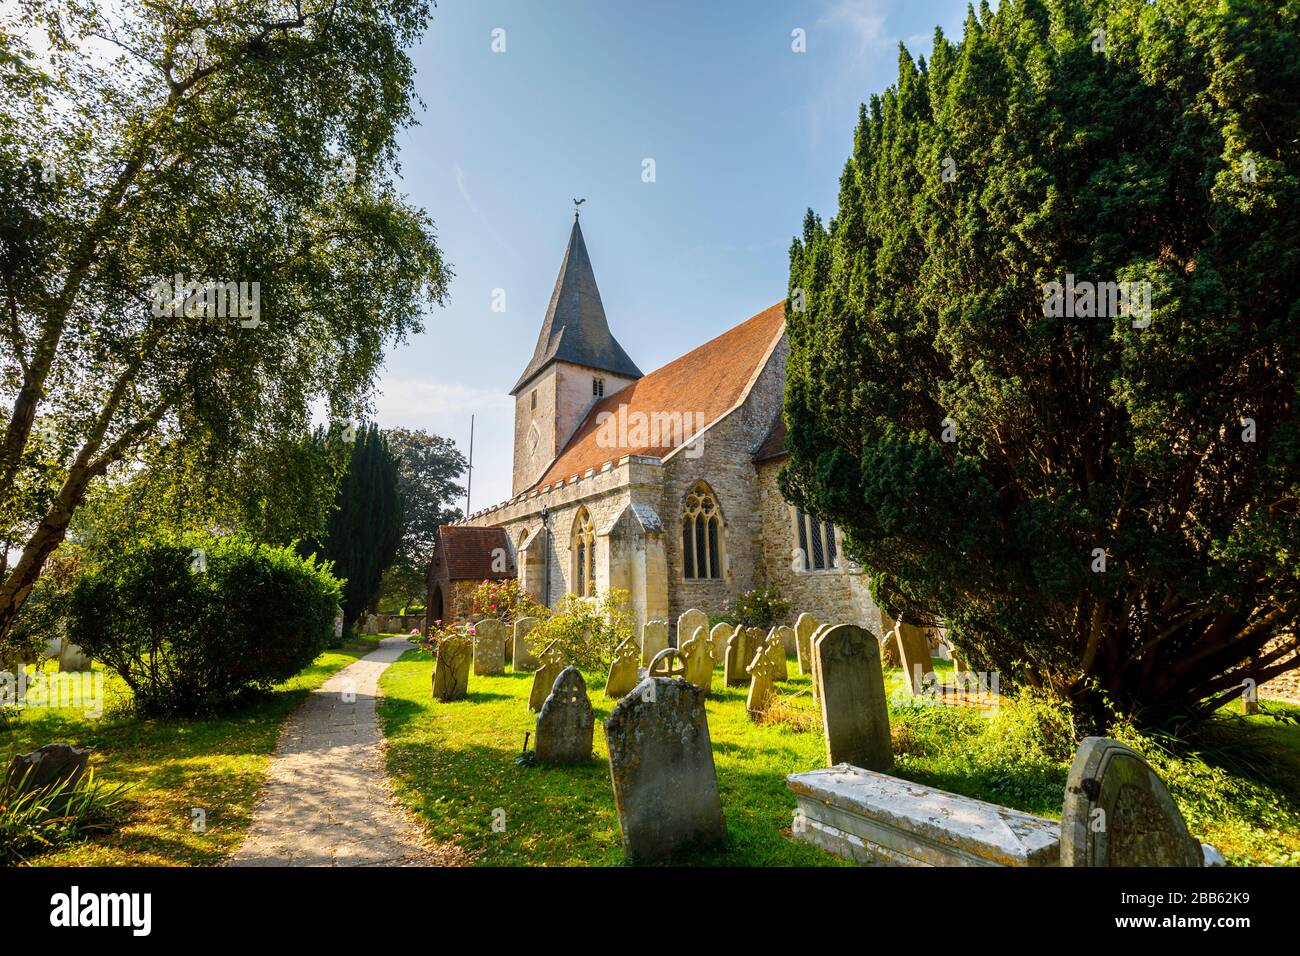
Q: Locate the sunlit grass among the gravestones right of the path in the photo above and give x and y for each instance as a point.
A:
(454, 765)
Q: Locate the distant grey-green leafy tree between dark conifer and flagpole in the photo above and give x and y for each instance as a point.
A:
(428, 468)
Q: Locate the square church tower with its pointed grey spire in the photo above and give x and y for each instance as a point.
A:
(577, 364)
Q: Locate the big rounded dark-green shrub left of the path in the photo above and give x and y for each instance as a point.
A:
(192, 641)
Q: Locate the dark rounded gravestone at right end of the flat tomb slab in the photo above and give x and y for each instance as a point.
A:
(1119, 812)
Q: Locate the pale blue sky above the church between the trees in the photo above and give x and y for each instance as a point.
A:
(746, 135)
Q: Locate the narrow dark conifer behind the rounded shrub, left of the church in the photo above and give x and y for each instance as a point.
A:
(363, 533)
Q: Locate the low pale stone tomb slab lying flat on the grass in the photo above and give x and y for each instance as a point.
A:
(876, 819)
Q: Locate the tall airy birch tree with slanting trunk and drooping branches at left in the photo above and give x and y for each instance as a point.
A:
(200, 239)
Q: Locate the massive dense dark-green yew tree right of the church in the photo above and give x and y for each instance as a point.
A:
(1104, 507)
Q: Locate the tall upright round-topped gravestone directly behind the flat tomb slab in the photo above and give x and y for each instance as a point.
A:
(855, 712)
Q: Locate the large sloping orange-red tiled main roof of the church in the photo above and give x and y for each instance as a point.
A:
(709, 380)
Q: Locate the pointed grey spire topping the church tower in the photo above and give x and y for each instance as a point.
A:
(575, 330)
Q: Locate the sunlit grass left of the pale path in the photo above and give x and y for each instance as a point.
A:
(175, 765)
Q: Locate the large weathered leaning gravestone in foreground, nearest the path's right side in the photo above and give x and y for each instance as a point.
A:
(662, 771)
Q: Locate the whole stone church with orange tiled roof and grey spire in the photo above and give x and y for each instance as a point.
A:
(662, 485)
